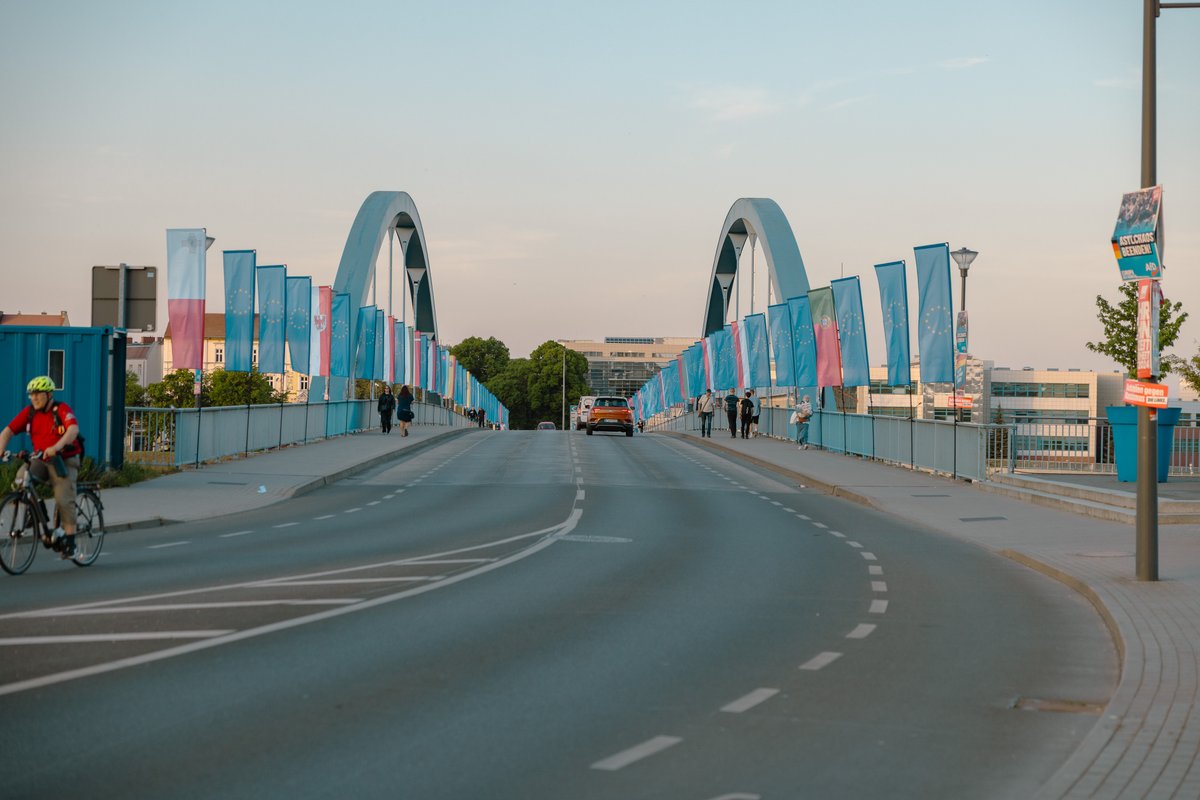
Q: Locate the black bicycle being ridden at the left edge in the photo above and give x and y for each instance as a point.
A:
(26, 522)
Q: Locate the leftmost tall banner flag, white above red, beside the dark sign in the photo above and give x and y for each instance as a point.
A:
(185, 297)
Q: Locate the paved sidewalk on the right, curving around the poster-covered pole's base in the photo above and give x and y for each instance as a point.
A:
(1148, 742)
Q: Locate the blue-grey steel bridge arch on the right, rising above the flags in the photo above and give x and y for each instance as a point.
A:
(764, 220)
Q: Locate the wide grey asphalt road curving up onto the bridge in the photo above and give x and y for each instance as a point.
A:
(545, 616)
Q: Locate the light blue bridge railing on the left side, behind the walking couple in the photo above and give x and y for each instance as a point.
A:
(176, 437)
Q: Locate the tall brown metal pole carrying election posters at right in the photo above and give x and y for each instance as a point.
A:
(1148, 435)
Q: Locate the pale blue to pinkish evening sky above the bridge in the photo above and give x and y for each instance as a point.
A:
(573, 163)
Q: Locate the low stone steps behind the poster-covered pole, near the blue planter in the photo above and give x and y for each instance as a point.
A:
(1101, 504)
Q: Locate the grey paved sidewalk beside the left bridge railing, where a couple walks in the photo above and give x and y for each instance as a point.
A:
(260, 480)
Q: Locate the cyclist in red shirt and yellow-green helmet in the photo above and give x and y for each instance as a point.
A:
(55, 430)
